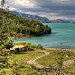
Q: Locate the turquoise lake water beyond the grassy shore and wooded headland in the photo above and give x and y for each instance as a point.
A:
(61, 33)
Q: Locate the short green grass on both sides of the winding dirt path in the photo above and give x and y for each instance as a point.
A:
(23, 57)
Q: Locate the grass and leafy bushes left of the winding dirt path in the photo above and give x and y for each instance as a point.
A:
(15, 64)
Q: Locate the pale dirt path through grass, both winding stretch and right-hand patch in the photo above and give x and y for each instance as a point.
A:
(33, 61)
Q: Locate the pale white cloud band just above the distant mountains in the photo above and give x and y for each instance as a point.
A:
(51, 16)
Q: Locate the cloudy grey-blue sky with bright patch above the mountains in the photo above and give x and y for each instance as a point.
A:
(52, 9)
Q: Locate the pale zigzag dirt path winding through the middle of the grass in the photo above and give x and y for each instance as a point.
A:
(33, 61)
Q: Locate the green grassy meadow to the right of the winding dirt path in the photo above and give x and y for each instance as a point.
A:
(54, 57)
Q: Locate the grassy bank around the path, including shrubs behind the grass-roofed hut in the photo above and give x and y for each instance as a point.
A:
(18, 61)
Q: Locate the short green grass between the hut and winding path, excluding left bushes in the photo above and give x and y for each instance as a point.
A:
(21, 58)
